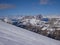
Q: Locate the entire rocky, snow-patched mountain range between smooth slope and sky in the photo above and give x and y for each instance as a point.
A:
(46, 26)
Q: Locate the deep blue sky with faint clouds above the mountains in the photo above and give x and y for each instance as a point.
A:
(29, 7)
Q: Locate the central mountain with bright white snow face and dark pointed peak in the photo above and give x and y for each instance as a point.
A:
(33, 20)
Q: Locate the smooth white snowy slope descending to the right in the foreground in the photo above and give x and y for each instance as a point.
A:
(11, 35)
